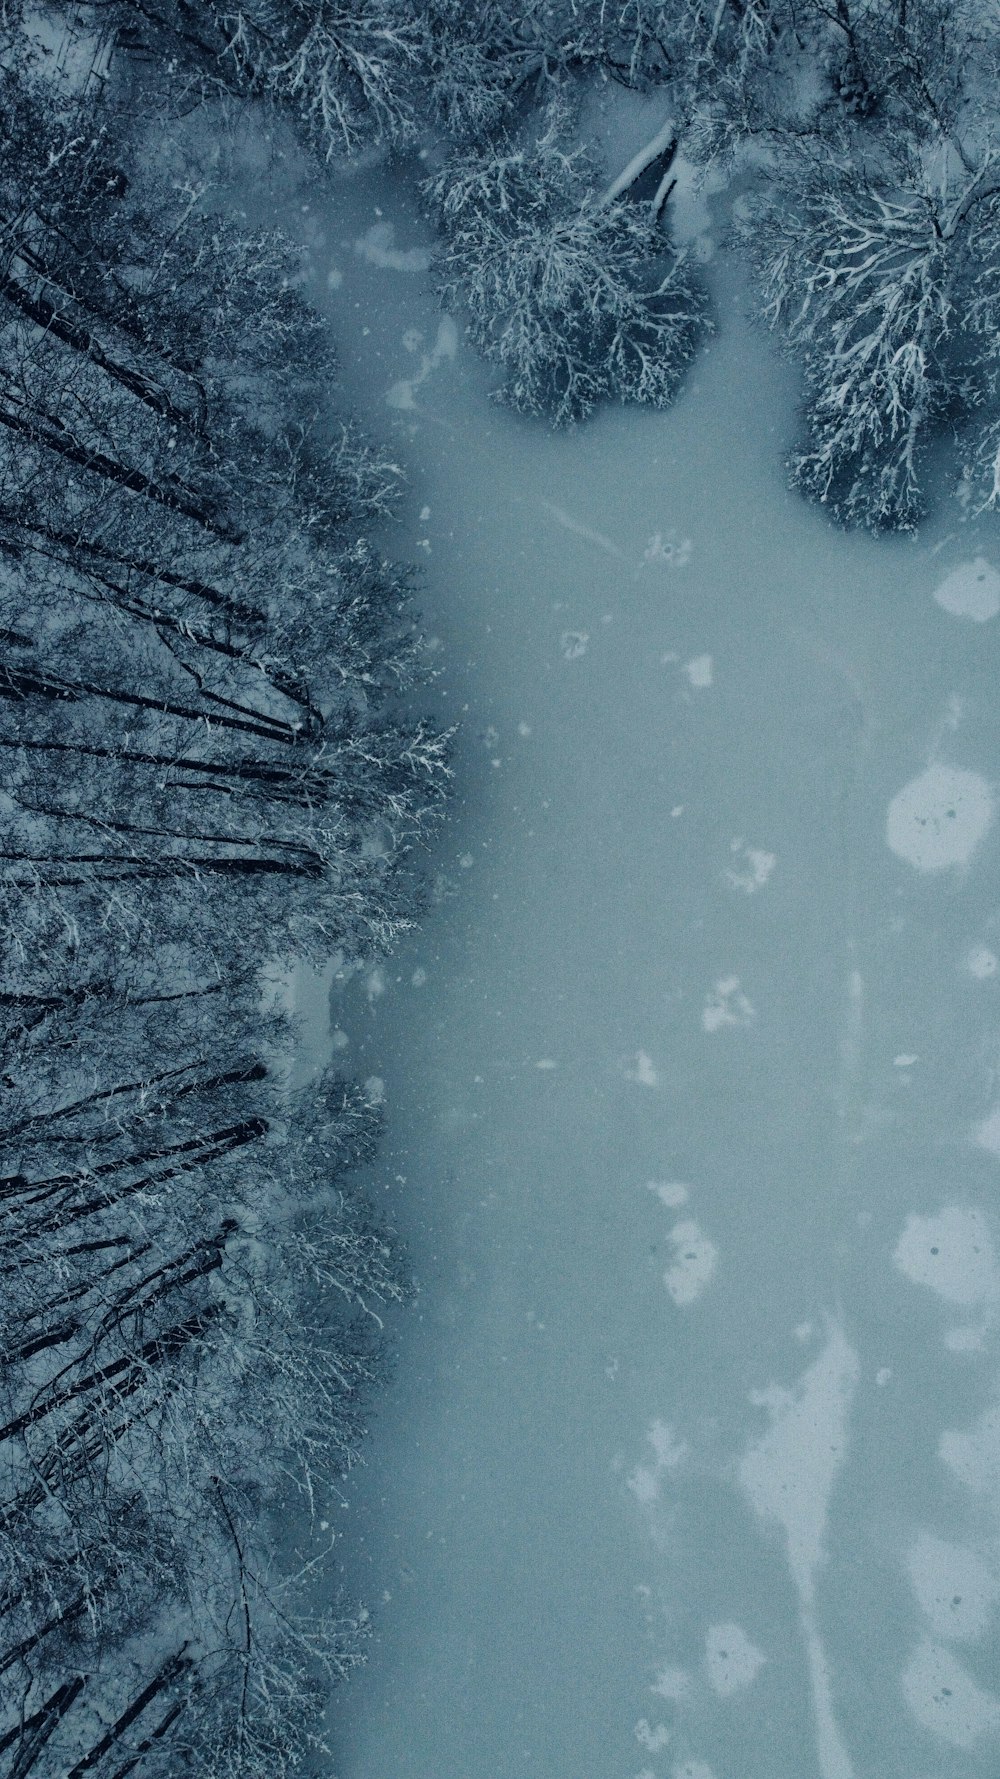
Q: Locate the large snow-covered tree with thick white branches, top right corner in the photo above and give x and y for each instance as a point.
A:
(876, 246)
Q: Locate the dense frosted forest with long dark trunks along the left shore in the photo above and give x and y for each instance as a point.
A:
(207, 775)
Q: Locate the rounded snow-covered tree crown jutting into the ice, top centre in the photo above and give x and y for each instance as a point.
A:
(576, 298)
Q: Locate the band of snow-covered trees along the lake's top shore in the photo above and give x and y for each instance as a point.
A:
(869, 131)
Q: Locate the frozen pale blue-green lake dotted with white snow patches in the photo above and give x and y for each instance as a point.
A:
(691, 1469)
